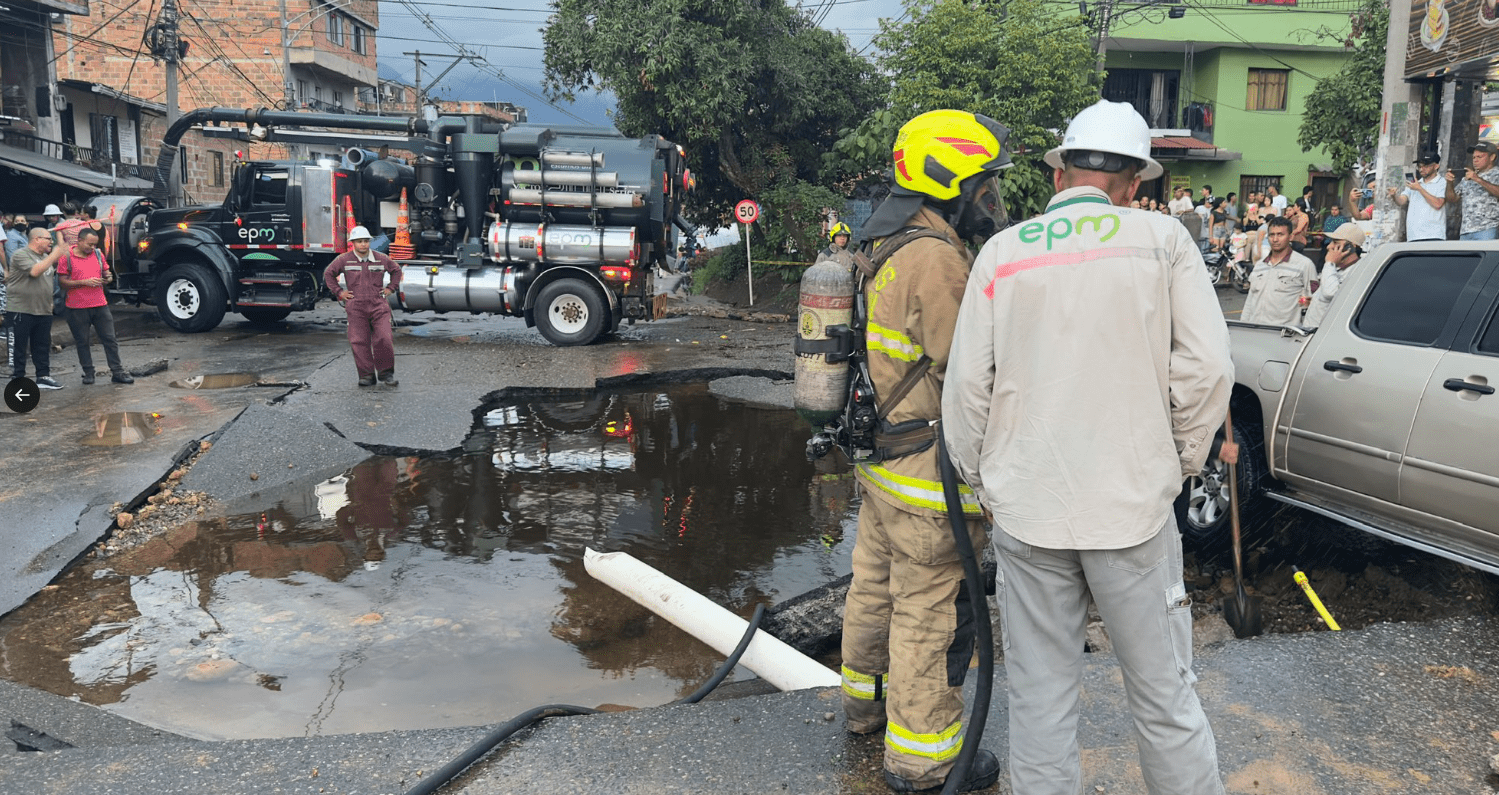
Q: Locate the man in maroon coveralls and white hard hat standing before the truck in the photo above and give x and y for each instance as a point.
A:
(365, 274)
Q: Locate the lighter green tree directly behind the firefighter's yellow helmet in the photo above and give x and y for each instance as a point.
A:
(1022, 64)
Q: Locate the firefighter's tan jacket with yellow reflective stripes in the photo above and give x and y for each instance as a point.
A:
(914, 305)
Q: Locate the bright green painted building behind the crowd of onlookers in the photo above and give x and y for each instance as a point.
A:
(1224, 85)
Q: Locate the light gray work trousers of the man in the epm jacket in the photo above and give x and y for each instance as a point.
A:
(1044, 601)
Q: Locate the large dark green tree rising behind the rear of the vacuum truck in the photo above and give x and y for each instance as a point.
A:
(753, 92)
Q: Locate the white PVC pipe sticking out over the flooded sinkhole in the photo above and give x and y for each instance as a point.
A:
(698, 616)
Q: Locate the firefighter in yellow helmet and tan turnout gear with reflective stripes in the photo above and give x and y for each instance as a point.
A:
(908, 623)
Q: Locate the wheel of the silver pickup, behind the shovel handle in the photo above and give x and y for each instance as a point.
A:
(1203, 508)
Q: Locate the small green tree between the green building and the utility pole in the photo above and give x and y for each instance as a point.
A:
(1342, 113)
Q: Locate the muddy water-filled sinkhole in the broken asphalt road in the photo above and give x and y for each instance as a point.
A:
(450, 592)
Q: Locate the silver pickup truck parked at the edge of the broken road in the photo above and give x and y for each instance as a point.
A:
(1386, 418)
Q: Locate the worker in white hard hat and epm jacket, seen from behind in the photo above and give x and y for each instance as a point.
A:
(1089, 376)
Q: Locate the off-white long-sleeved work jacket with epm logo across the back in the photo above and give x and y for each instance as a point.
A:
(1089, 374)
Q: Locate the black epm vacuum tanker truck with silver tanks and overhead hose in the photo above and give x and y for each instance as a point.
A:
(560, 226)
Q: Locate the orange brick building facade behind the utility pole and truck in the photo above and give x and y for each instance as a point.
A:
(235, 59)
